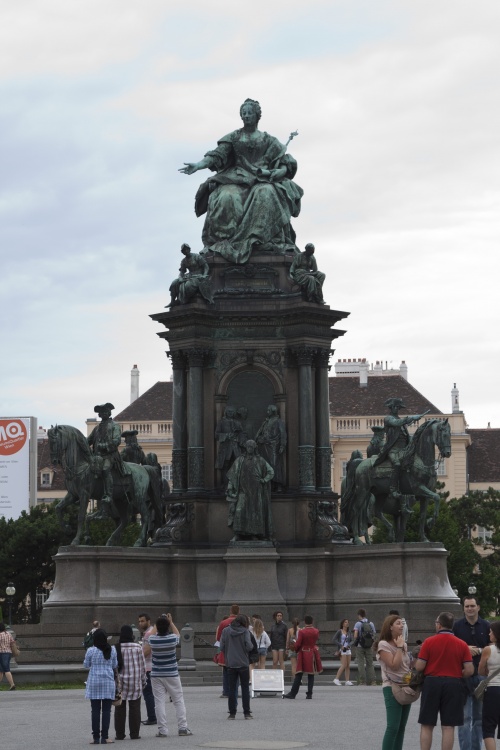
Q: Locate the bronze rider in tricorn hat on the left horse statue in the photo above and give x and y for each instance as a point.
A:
(104, 441)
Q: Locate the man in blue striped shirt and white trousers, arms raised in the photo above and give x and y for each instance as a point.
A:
(165, 675)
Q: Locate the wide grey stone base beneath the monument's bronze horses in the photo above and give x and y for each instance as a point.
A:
(112, 584)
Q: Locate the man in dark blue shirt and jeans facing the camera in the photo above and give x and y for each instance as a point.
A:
(475, 632)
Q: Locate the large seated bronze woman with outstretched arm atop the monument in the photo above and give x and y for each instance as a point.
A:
(250, 200)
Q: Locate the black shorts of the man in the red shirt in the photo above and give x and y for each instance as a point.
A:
(442, 696)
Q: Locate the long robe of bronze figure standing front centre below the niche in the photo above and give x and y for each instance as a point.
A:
(251, 511)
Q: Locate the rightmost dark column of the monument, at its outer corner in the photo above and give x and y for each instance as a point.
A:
(323, 448)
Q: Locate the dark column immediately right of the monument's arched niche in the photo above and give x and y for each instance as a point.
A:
(305, 356)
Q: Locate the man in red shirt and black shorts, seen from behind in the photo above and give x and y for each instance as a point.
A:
(445, 660)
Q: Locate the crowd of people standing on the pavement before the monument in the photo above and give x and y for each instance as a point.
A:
(459, 669)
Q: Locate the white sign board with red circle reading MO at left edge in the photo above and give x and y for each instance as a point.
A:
(14, 466)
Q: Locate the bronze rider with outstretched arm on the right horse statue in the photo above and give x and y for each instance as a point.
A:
(396, 441)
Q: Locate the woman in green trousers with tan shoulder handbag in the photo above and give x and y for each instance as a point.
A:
(392, 653)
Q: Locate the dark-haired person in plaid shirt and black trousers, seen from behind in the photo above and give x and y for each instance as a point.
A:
(132, 673)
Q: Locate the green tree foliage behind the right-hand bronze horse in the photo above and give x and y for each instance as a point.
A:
(455, 526)
